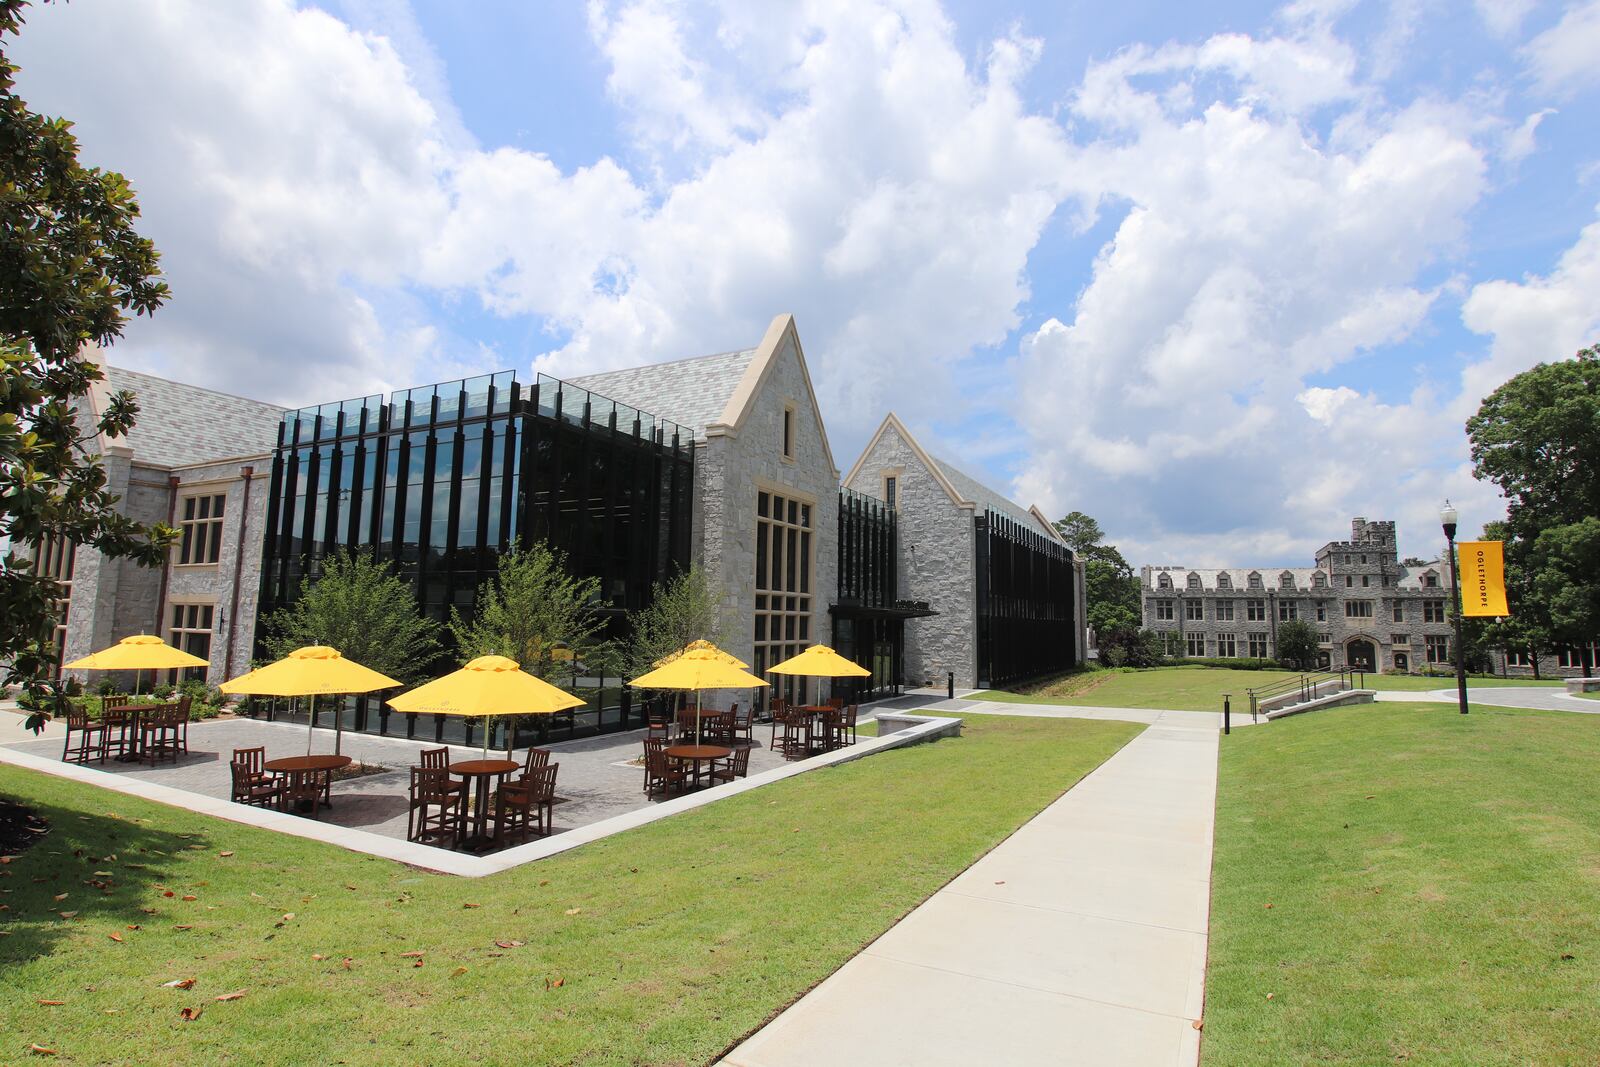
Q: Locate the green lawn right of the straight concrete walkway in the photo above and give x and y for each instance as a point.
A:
(1404, 884)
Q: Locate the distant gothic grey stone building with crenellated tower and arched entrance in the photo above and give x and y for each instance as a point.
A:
(1369, 610)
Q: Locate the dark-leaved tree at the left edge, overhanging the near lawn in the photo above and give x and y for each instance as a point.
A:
(71, 268)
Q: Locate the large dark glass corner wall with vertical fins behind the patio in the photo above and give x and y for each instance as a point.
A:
(441, 481)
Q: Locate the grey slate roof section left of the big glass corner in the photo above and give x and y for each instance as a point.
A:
(186, 425)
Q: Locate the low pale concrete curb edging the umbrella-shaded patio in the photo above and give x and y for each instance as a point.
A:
(442, 861)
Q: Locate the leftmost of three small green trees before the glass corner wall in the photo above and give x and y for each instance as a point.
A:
(367, 612)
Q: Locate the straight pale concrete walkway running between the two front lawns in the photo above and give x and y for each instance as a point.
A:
(1081, 940)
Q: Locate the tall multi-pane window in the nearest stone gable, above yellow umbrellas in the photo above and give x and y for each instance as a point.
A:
(783, 585)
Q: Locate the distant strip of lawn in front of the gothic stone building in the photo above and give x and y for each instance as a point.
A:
(1196, 689)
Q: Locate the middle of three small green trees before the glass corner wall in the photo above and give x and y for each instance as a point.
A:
(537, 613)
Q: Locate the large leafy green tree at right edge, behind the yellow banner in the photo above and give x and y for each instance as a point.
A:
(1537, 438)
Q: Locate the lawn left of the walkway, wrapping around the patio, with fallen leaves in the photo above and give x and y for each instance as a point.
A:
(660, 946)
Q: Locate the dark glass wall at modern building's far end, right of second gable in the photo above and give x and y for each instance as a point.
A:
(1026, 593)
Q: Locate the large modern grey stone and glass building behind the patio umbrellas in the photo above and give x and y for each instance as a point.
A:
(722, 462)
